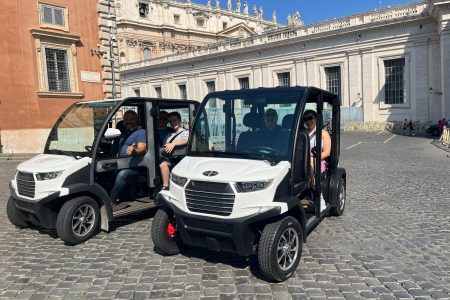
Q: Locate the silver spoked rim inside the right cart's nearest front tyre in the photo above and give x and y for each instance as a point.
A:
(287, 249)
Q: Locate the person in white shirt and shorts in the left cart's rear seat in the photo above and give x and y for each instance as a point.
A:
(178, 138)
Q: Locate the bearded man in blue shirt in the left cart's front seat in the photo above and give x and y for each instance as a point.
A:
(132, 142)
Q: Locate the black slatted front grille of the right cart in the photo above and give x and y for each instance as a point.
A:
(210, 198)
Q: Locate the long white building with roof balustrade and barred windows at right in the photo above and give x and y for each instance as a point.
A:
(393, 63)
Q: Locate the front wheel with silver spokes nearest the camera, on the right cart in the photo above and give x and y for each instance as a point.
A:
(280, 249)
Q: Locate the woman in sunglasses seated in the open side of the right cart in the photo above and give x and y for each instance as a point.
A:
(310, 121)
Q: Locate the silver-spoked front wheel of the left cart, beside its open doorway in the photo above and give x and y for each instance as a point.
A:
(78, 220)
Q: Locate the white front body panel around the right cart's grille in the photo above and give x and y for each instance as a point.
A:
(231, 170)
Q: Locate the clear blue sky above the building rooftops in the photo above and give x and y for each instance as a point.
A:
(312, 11)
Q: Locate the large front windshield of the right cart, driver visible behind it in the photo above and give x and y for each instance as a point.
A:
(250, 124)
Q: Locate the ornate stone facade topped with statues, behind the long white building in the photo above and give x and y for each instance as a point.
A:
(148, 29)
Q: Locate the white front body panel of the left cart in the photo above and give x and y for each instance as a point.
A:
(44, 163)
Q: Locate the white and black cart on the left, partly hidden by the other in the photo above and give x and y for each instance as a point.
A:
(67, 187)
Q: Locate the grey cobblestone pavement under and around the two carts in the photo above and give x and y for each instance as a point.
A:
(392, 242)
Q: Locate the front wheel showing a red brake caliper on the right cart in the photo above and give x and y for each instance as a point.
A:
(164, 232)
